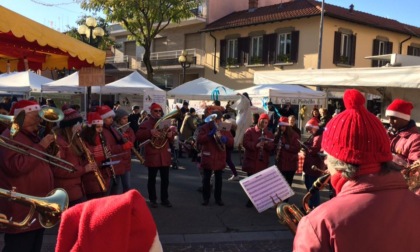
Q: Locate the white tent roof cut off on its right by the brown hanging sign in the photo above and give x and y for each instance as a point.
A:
(69, 83)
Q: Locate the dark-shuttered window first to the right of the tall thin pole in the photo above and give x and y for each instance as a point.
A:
(344, 48)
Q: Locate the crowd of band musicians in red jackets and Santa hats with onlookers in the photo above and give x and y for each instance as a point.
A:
(352, 146)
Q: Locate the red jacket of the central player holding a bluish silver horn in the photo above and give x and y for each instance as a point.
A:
(212, 158)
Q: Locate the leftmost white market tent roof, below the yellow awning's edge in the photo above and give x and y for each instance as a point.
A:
(24, 82)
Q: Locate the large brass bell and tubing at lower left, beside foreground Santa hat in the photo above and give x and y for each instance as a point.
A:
(49, 208)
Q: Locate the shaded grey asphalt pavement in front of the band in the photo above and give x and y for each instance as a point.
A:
(189, 226)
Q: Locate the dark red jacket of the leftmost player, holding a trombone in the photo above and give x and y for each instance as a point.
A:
(29, 175)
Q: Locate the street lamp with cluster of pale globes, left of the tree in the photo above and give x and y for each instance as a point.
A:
(91, 32)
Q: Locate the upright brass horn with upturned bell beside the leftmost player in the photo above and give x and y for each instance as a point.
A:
(51, 116)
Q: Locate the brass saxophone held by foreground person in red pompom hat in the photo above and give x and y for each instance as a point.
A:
(290, 214)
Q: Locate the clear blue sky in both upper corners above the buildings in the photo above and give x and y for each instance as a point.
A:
(66, 12)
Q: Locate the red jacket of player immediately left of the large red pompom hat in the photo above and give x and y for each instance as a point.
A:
(312, 157)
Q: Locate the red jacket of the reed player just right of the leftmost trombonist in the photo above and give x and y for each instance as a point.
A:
(71, 182)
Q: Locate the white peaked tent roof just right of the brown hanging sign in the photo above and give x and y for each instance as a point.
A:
(134, 83)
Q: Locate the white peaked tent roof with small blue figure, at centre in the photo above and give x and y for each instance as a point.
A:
(202, 89)
